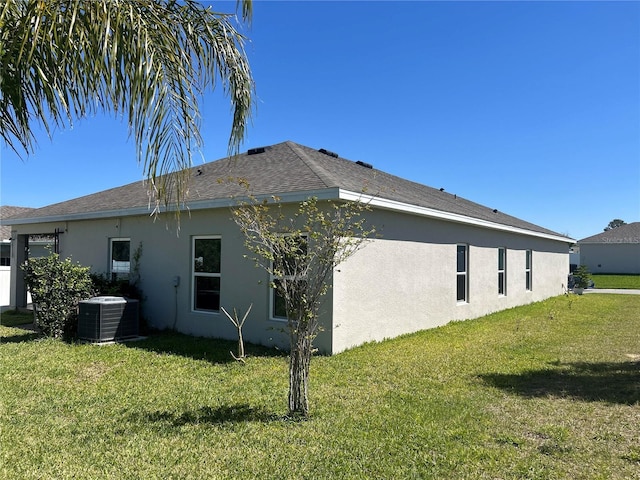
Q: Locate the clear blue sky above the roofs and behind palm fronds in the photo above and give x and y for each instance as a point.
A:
(532, 108)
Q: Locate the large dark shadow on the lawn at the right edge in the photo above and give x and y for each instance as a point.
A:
(617, 383)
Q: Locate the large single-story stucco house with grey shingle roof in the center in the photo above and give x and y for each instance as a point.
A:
(440, 257)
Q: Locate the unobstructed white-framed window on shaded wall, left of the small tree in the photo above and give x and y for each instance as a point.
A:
(205, 268)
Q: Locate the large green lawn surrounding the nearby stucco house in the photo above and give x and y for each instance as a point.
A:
(546, 391)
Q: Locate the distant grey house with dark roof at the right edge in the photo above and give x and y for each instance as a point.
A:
(615, 251)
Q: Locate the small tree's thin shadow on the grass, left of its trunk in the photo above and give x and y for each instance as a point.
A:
(224, 414)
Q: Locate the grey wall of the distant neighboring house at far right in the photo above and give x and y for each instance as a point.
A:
(611, 258)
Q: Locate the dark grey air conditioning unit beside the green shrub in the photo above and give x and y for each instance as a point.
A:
(103, 319)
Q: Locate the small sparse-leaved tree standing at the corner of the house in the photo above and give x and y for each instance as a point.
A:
(300, 252)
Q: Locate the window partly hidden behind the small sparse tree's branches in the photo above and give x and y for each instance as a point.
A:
(288, 269)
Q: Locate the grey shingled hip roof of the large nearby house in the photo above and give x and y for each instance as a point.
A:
(292, 172)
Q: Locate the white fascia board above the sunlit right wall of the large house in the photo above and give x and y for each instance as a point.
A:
(396, 206)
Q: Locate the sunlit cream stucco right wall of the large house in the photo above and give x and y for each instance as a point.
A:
(405, 281)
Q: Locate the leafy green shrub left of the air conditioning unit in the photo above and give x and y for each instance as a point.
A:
(56, 287)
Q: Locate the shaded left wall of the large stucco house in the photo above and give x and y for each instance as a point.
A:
(167, 254)
